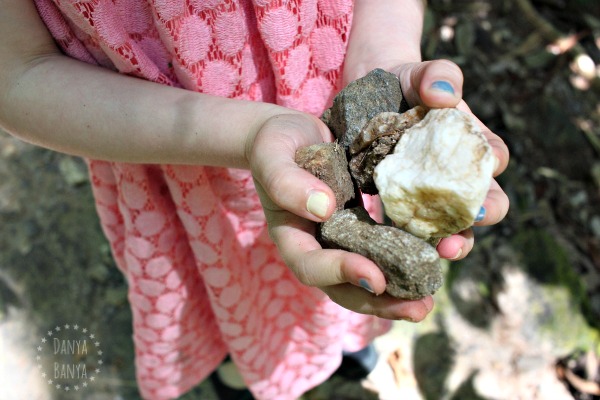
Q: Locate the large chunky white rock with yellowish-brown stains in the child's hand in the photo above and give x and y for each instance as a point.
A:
(435, 181)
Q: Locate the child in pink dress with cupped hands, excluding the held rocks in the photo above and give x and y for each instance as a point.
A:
(189, 113)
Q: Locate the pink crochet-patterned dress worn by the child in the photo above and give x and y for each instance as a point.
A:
(204, 278)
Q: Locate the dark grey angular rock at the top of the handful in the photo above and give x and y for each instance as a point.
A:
(361, 100)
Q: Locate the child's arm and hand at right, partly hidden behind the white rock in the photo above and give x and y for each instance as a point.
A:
(387, 34)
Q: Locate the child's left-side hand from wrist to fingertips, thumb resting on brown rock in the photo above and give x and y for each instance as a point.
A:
(294, 200)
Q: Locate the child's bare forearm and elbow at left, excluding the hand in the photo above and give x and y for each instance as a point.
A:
(66, 105)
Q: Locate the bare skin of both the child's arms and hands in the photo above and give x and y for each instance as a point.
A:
(65, 105)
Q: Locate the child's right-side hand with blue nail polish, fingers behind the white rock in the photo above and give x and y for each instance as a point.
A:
(438, 84)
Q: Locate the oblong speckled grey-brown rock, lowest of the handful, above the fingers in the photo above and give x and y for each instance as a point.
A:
(411, 266)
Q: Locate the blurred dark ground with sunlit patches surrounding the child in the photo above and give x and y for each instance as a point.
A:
(517, 319)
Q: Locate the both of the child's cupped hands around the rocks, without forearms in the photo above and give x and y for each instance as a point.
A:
(294, 200)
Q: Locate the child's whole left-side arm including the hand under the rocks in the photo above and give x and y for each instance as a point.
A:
(59, 103)
